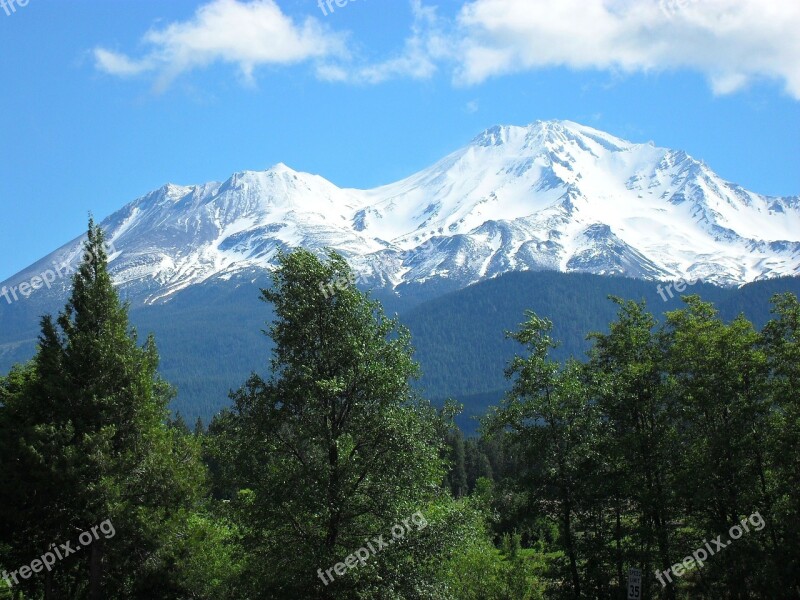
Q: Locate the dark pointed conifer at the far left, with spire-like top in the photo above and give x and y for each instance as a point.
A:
(84, 428)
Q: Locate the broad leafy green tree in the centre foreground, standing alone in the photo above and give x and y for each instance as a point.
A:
(334, 448)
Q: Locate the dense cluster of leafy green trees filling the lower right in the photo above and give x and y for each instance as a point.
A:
(668, 435)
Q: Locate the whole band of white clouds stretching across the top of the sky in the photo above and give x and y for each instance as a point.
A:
(731, 42)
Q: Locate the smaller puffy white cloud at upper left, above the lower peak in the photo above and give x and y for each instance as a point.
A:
(246, 34)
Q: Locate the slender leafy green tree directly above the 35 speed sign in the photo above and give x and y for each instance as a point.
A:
(626, 366)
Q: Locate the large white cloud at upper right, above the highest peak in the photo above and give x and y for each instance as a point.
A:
(730, 41)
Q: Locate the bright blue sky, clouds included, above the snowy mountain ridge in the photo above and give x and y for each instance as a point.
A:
(104, 101)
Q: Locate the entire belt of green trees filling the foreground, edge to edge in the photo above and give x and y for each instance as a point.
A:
(671, 447)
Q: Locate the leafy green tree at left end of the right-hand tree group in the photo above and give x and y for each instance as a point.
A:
(548, 413)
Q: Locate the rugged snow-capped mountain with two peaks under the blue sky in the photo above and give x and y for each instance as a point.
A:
(553, 195)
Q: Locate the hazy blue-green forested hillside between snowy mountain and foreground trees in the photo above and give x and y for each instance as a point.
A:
(212, 335)
